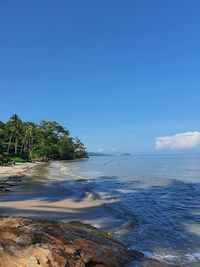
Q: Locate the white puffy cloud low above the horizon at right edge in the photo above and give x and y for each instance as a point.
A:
(178, 141)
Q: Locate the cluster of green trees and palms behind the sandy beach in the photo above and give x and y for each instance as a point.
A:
(47, 140)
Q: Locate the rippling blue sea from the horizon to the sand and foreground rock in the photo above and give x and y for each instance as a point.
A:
(151, 203)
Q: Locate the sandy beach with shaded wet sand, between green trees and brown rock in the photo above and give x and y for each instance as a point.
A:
(39, 197)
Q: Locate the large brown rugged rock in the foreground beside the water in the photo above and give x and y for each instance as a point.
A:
(28, 243)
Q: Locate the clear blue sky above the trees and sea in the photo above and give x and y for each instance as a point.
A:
(117, 74)
